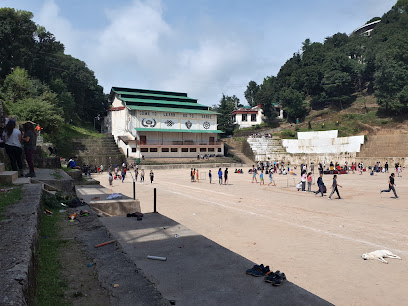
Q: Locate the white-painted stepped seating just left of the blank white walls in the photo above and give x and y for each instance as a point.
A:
(267, 148)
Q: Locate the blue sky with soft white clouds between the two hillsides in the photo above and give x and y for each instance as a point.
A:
(205, 48)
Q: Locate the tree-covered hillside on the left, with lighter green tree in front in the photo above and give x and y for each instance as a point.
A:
(38, 81)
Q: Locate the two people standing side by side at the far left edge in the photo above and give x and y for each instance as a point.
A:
(14, 141)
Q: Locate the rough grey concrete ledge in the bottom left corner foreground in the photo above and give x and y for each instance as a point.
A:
(18, 245)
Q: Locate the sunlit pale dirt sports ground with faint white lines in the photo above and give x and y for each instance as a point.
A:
(318, 243)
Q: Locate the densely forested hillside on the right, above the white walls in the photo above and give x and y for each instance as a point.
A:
(336, 72)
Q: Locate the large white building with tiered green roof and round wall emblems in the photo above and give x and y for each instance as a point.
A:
(153, 123)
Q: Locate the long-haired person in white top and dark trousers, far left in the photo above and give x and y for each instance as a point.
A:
(12, 143)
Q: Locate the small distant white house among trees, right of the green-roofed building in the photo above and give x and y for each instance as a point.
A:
(249, 116)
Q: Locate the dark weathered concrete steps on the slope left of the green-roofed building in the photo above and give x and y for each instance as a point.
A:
(97, 151)
